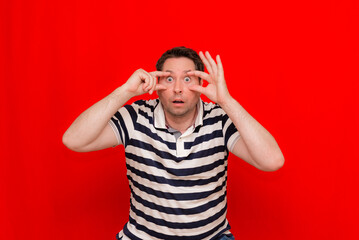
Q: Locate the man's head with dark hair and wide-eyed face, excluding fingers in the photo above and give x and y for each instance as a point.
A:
(177, 99)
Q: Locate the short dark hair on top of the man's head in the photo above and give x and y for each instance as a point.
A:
(177, 52)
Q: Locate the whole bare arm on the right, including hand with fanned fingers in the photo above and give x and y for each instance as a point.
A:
(256, 145)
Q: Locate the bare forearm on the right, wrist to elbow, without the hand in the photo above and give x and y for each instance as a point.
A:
(261, 145)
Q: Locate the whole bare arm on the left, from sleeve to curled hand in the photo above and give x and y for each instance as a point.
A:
(91, 130)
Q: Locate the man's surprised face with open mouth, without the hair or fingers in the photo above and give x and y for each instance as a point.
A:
(177, 99)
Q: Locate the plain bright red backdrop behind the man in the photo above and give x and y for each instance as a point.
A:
(292, 64)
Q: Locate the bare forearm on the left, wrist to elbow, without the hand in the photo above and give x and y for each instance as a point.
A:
(89, 125)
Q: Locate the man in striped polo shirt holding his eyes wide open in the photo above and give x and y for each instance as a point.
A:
(176, 146)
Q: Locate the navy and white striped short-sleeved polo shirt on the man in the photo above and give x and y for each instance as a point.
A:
(178, 186)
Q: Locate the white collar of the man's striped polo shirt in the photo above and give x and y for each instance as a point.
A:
(160, 120)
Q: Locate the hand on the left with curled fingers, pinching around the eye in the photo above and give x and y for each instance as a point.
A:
(142, 82)
